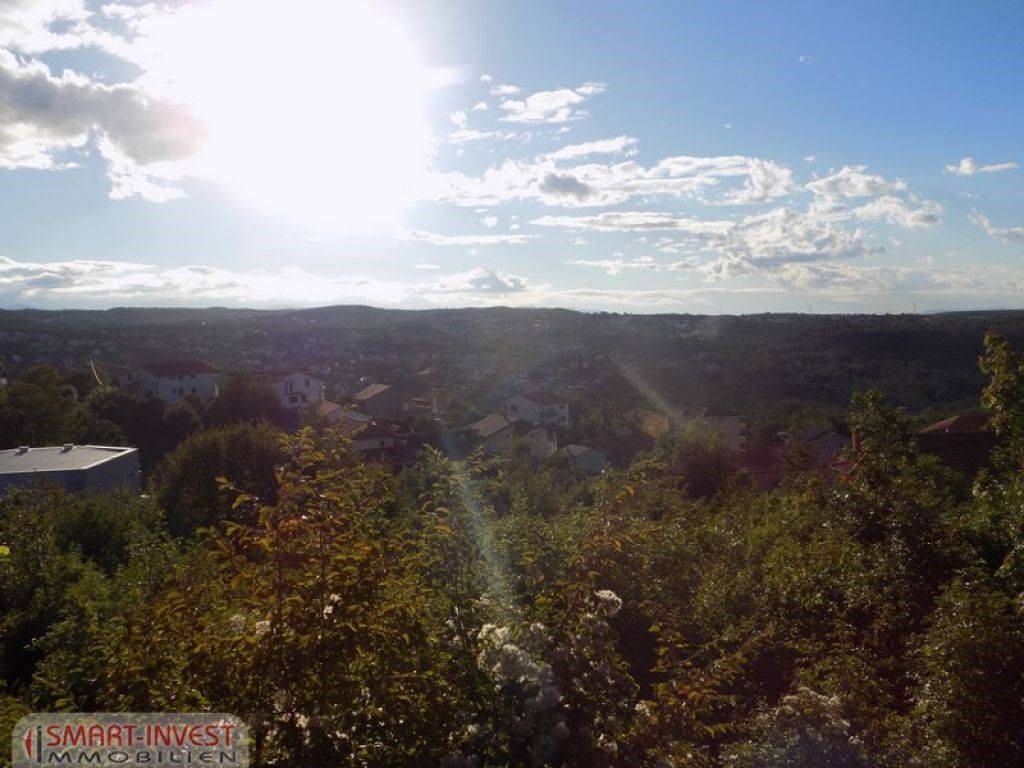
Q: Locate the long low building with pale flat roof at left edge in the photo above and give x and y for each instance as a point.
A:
(74, 467)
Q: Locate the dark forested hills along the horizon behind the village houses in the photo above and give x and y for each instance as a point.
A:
(925, 363)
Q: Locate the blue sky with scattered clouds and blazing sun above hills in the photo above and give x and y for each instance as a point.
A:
(633, 157)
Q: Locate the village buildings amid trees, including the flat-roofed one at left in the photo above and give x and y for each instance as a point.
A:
(390, 423)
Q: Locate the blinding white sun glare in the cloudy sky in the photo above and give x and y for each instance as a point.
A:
(314, 110)
